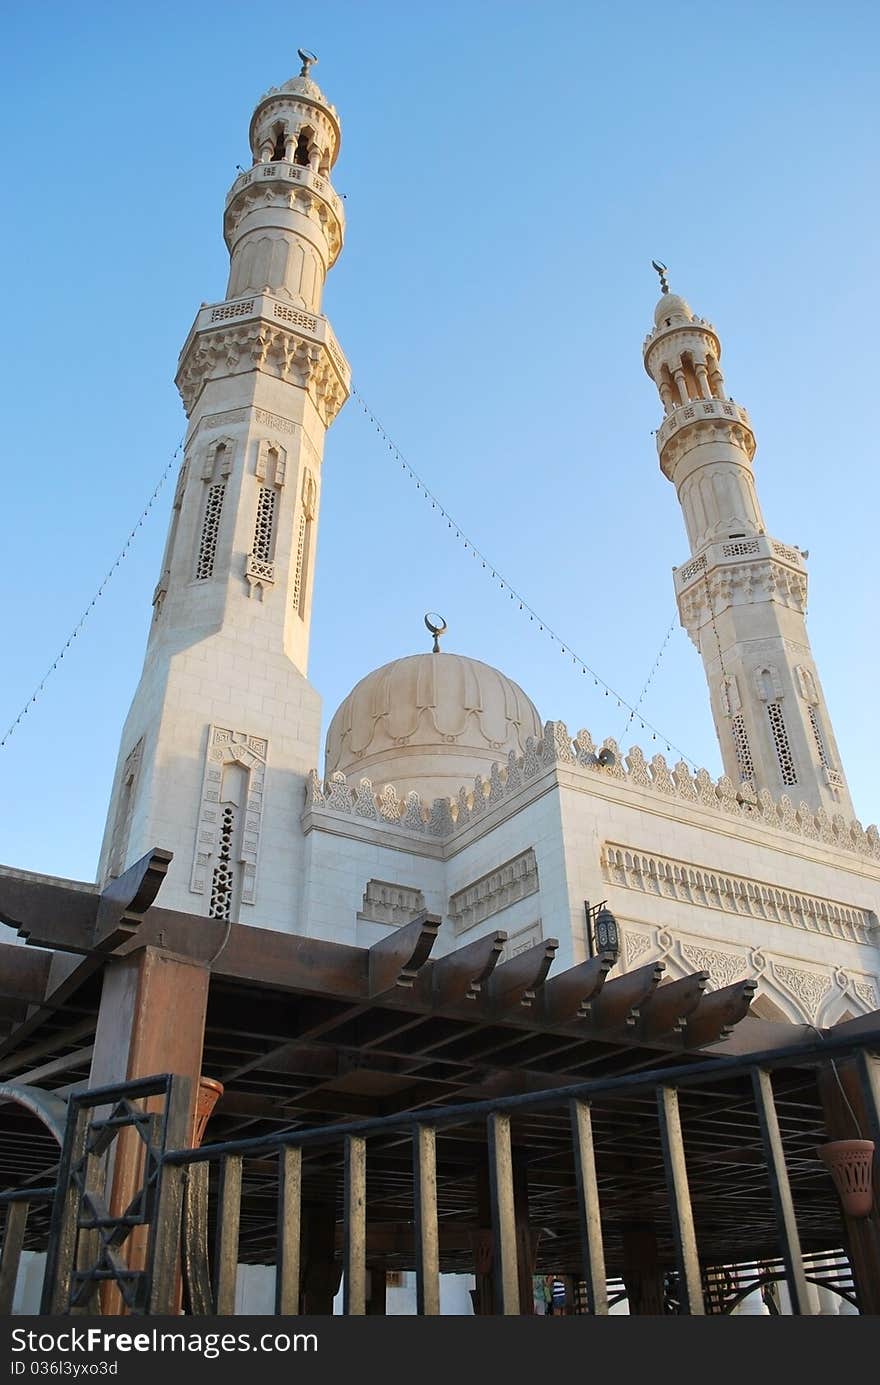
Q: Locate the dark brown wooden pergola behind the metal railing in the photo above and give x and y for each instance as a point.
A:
(310, 1035)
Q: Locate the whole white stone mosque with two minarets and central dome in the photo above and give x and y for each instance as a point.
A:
(443, 792)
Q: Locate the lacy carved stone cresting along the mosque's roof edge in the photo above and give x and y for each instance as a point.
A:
(558, 750)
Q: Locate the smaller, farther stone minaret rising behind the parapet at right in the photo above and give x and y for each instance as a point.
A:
(742, 598)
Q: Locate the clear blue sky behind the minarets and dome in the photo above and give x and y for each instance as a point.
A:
(509, 171)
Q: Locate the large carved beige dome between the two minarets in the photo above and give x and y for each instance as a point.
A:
(430, 722)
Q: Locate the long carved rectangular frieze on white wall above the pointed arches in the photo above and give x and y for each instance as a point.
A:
(701, 886)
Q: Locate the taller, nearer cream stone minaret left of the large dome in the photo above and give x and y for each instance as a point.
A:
(225, 724)
